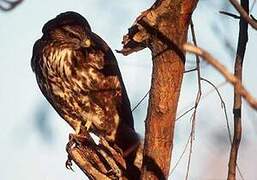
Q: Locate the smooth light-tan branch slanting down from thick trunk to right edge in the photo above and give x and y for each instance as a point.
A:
(224, 71)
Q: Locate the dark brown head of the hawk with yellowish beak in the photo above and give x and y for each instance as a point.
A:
(69, 27)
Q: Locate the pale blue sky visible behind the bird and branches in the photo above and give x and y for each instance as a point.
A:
(33, 136)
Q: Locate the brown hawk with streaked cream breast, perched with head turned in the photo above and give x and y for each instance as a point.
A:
(79, 75)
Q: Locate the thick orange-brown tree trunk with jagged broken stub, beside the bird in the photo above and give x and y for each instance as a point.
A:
(162, 28)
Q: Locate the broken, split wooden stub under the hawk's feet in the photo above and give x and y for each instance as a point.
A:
(97, 161)
